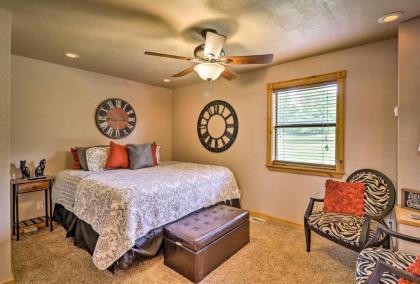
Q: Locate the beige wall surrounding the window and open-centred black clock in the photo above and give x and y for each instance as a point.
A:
(370, 128)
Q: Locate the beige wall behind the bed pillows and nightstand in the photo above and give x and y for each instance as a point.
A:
(53, 109)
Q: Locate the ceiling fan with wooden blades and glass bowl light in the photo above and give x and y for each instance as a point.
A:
(212, 60)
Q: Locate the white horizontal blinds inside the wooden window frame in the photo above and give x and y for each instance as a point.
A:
(304, 124)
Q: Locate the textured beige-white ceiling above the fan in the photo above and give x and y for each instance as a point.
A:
(112, 35)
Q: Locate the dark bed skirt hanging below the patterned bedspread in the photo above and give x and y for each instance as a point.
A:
(85, 237)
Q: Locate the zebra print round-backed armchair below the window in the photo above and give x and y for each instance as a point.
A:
(353, 231)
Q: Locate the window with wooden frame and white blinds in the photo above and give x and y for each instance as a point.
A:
(305, 125)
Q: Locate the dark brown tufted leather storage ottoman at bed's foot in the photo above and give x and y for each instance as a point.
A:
(199, 243)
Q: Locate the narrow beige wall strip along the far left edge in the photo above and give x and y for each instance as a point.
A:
(5, 32)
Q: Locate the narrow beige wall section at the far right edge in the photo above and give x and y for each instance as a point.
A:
(409, 105)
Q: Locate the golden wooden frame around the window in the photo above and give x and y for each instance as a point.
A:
(318, 170)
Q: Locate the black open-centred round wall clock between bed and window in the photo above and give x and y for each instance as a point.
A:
(217, 126)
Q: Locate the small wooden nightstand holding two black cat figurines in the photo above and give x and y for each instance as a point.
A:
(22, 186)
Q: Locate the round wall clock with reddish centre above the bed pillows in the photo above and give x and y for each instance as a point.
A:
(115, 118)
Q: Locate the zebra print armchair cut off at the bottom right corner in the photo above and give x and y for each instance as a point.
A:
(383, 266)
